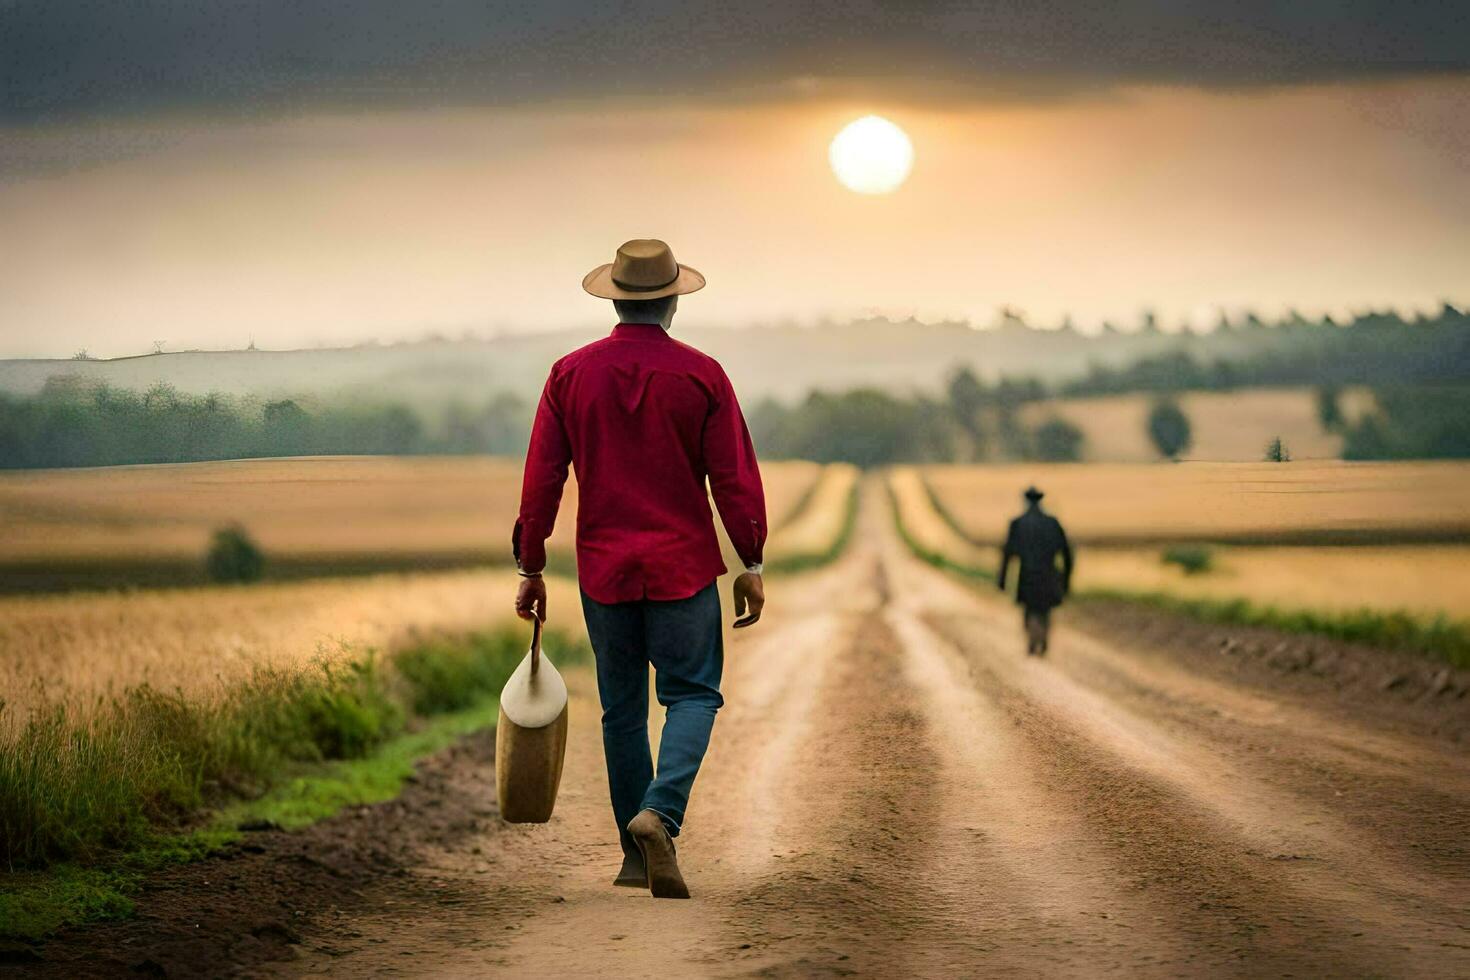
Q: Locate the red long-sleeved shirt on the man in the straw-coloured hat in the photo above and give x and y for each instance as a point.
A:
(645, 419)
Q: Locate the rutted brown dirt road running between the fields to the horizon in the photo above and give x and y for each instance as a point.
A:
(897, 791)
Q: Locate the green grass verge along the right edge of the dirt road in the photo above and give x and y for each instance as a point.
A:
(1438, 637)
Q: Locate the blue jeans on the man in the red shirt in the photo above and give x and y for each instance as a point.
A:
(684, 643)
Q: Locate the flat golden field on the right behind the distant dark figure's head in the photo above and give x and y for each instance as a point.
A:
(1266, 503)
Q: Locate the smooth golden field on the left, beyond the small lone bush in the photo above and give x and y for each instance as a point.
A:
(315, 506)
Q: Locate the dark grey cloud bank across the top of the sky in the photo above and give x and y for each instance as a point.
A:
(61, 58)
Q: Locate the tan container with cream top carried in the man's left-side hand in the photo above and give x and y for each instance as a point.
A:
(531, 738)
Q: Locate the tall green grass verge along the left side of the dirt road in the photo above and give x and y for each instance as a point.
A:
(93, 799)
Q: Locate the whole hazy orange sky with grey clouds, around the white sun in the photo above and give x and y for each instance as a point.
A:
(308, 179)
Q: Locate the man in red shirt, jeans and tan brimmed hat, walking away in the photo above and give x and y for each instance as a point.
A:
(646, 421)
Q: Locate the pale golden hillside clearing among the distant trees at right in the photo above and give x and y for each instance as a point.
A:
(1228, 425)
